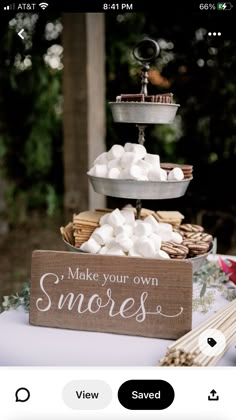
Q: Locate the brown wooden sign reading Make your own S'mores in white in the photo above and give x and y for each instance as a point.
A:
(135, 296)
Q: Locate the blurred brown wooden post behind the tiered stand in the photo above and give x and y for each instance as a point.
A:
(84, 106)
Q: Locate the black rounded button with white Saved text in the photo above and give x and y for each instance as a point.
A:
(139, 394)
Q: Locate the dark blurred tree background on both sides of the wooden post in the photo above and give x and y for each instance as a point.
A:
(199, 70)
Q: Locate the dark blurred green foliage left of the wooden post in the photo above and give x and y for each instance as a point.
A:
(30, 119)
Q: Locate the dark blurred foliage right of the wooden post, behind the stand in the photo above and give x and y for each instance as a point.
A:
(201, 72)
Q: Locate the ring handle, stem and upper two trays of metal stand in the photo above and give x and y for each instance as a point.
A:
(142, 114)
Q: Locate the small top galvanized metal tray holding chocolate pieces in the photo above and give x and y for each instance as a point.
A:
(143, 112)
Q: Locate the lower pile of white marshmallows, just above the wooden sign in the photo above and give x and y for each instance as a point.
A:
(120, 234)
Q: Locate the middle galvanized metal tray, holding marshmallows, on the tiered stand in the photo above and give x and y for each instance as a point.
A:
(145, 190)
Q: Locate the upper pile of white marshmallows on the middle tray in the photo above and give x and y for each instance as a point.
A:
(132, 162)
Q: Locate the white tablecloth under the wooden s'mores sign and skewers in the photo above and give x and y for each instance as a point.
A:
(22, 344)
